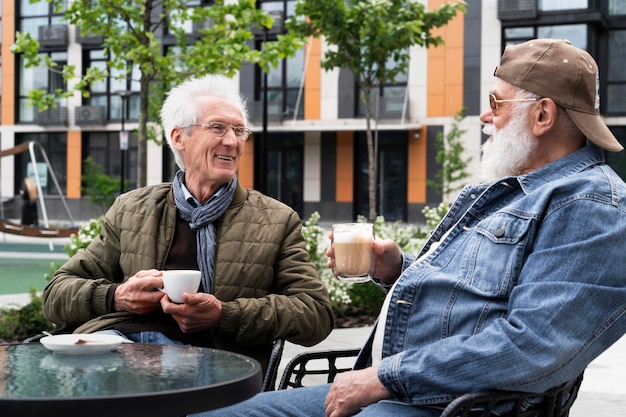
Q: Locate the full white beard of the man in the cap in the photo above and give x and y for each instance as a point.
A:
(508, 149)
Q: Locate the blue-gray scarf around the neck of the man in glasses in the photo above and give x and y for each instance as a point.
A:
(201, 219)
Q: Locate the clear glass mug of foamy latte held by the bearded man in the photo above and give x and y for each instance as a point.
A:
(352, 247)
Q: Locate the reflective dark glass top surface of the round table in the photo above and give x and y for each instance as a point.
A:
(31, 371)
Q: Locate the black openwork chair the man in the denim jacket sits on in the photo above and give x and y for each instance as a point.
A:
(555, 402)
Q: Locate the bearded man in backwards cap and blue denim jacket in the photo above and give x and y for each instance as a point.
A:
(522, 284)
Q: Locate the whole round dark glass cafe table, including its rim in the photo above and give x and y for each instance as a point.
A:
(135, 380)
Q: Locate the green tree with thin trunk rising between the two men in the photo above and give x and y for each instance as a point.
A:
(372, 39)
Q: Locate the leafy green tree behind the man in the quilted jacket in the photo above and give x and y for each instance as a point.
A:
(130, 30)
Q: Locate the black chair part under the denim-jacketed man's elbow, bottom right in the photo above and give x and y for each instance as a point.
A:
(555, 402)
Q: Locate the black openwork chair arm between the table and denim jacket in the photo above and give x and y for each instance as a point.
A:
(316, 364)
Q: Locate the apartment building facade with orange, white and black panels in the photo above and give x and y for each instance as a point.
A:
(310, 143)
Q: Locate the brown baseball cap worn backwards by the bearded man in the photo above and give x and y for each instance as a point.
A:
(568, 75)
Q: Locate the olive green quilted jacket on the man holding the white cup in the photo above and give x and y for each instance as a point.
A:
(263, 275)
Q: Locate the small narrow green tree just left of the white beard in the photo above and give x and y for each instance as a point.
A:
(450, 155)
